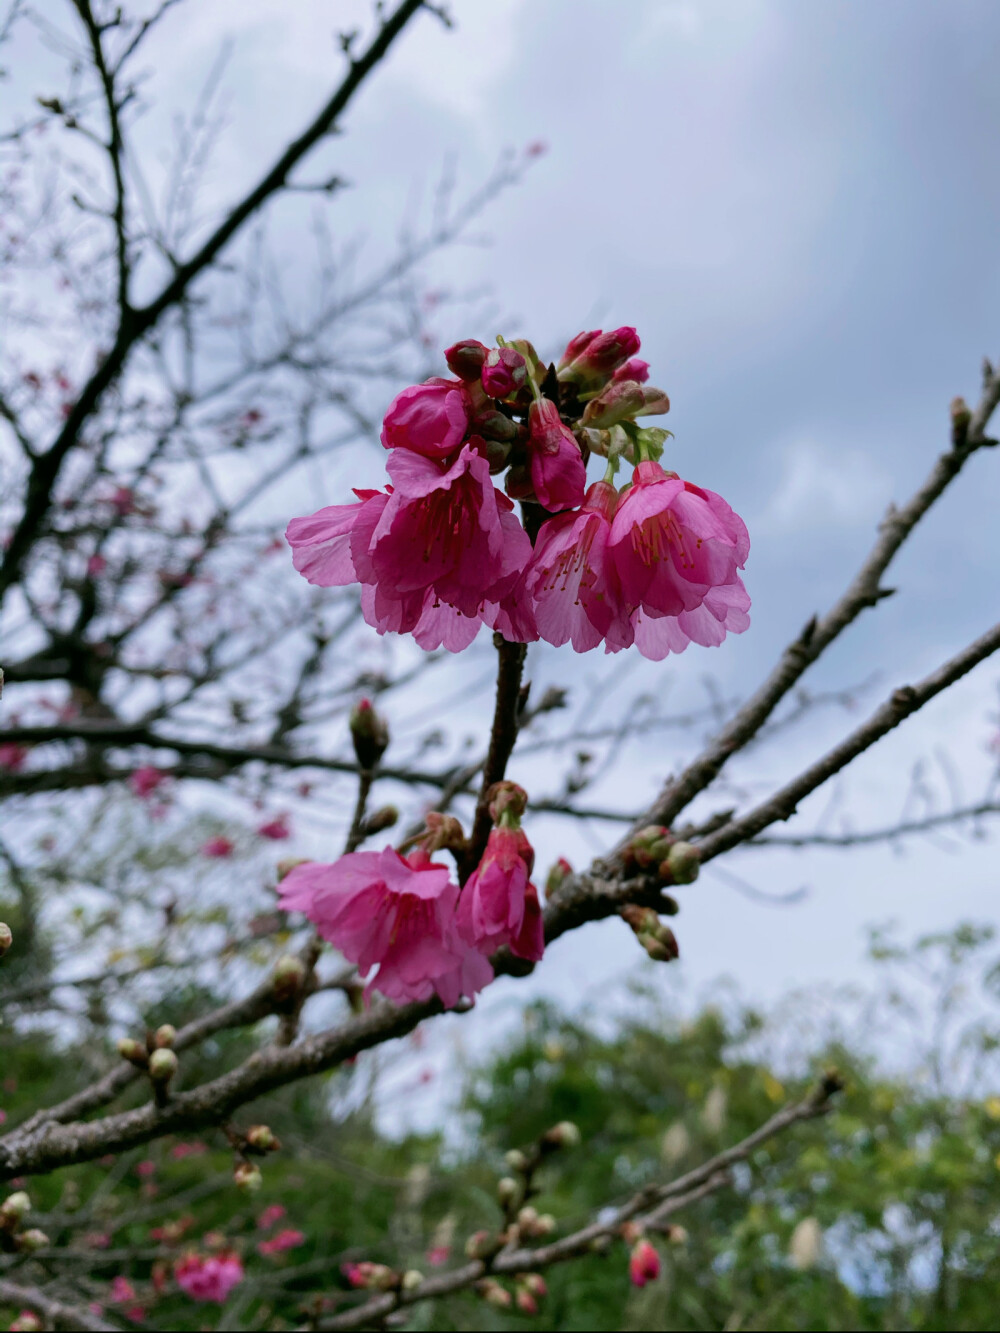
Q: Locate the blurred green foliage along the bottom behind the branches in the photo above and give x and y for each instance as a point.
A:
(883, 1216)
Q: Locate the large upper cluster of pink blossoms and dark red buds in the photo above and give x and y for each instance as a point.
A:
(441, 553)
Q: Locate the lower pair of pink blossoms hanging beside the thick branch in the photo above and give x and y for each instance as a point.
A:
(401, 912)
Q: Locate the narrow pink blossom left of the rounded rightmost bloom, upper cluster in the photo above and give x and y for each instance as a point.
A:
(571, 581)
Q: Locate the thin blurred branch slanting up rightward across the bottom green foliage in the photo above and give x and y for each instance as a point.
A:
(654, 1204)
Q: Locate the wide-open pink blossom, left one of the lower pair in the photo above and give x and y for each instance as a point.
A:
(382, 910)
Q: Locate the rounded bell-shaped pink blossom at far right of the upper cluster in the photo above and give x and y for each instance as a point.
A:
(671, 543)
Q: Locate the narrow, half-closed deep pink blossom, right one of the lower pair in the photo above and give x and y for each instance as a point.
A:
(493, 904)
